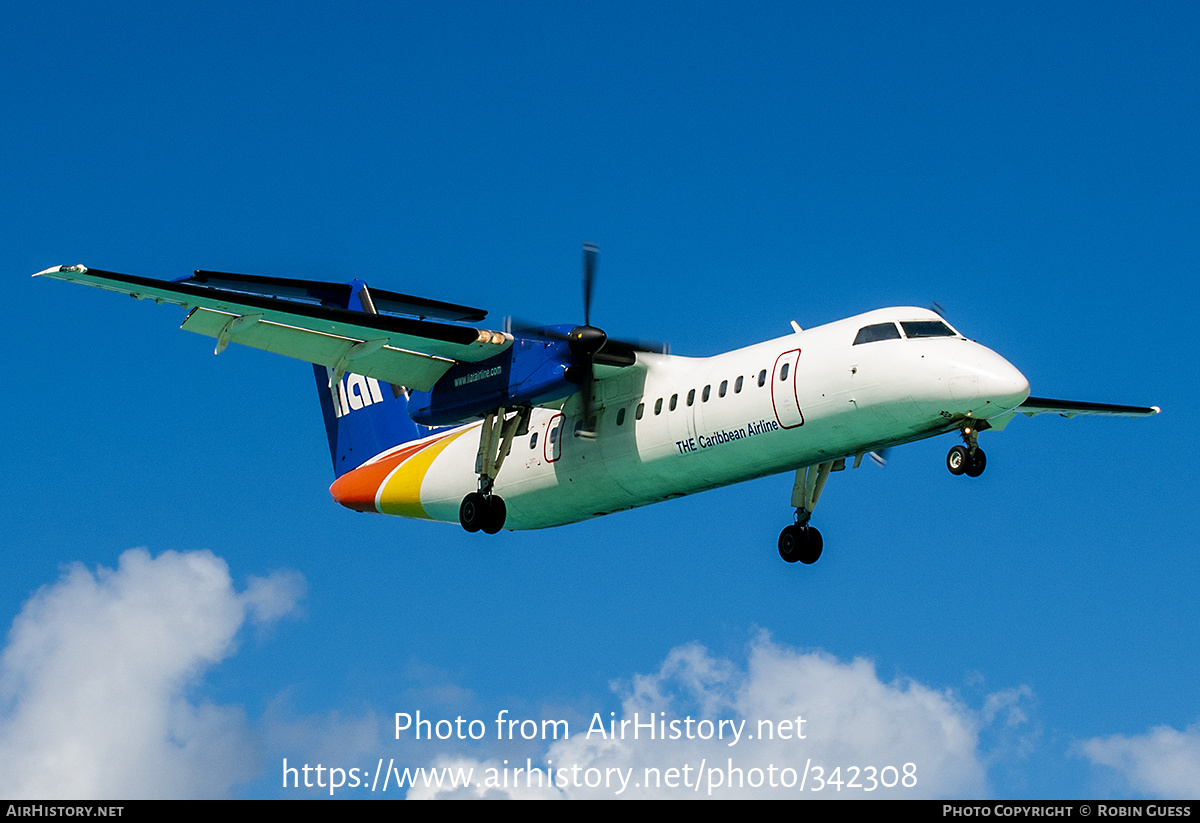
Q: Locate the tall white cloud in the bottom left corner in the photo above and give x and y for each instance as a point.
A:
(94, 681)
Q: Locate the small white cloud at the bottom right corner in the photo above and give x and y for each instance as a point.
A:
(1163, 762)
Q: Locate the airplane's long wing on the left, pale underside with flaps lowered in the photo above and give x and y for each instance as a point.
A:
(305, 320)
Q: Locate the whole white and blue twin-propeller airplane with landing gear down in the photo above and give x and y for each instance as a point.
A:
(431, 417)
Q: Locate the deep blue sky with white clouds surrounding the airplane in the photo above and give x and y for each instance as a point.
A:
(1030, 166)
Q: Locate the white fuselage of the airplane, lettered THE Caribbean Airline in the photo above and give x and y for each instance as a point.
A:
(673, 426)
